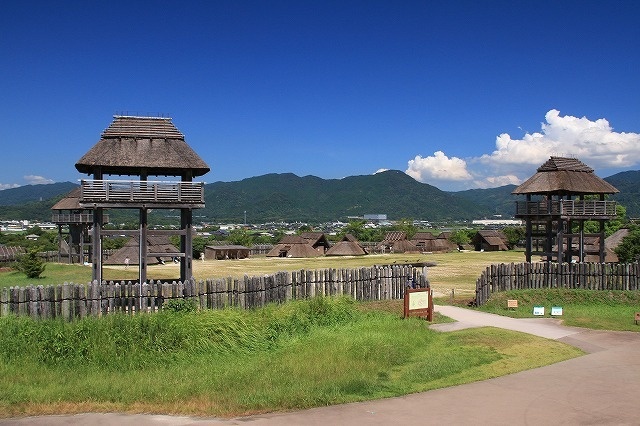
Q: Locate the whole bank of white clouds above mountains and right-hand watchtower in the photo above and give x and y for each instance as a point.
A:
(513, 160)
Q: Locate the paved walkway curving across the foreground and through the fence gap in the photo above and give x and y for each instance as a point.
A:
(600, 388)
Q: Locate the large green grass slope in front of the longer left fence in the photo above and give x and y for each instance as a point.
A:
(229, 363)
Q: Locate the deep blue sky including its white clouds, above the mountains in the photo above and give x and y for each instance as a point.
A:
(458, 94)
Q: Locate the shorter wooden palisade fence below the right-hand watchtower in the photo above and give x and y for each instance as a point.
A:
(589, 276)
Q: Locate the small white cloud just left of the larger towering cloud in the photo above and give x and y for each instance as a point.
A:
(438, 167)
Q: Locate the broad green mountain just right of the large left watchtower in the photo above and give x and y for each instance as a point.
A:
(287, 197)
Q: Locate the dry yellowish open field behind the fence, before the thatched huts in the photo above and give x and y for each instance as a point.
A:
(457, 270)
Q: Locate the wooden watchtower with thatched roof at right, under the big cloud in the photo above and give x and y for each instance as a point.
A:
(560, 198)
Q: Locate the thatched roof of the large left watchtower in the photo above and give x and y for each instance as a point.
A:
(132, 144)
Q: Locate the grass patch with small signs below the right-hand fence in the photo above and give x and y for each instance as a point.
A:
(603, 310)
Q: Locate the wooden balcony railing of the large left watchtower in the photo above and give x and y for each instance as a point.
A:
(132, 194)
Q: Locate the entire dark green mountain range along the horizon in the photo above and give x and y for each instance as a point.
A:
(288, 197)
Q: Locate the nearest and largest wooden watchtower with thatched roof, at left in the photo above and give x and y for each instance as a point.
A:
(140, 148)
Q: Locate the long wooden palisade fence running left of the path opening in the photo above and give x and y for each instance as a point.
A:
(71, 301)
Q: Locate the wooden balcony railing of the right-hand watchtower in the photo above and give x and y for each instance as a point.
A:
(566, 209)
